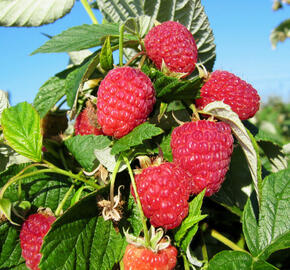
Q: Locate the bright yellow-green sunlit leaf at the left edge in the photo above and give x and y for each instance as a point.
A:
(21, 128)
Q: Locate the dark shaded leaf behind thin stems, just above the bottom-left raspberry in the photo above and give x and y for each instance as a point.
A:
(42, 190)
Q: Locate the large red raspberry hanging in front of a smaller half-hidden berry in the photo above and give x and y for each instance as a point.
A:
(125, 99)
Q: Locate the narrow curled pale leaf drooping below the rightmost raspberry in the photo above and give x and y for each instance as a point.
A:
(223, 111)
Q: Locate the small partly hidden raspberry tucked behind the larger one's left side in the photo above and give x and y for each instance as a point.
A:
(86, 123)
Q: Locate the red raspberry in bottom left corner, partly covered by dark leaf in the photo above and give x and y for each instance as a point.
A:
(31, 237)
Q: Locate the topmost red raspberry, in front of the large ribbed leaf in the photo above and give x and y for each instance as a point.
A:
(172, 42)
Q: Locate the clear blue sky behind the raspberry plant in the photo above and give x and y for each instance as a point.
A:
(241, 30)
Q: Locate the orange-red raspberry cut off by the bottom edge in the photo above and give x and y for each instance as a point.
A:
(141, 258)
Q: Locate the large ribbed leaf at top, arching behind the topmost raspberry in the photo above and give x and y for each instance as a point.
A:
(188, 12)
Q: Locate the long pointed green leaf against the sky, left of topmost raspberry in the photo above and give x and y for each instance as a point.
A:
(82, 37)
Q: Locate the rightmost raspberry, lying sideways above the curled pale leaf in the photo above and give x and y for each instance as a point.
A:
(227, 87)
